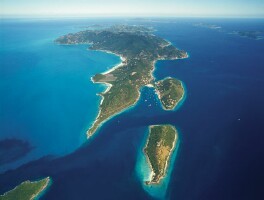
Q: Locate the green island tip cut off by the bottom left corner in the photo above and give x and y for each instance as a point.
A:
(27, 190)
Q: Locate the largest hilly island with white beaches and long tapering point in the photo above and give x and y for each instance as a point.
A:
(139, 49)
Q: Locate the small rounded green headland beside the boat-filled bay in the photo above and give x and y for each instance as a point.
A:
(170, 92)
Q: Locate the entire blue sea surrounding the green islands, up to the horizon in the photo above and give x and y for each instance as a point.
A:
(47, 102)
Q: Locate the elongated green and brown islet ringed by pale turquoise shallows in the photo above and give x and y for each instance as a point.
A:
(161, 142)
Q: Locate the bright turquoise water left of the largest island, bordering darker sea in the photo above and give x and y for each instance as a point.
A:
(47, 97)
